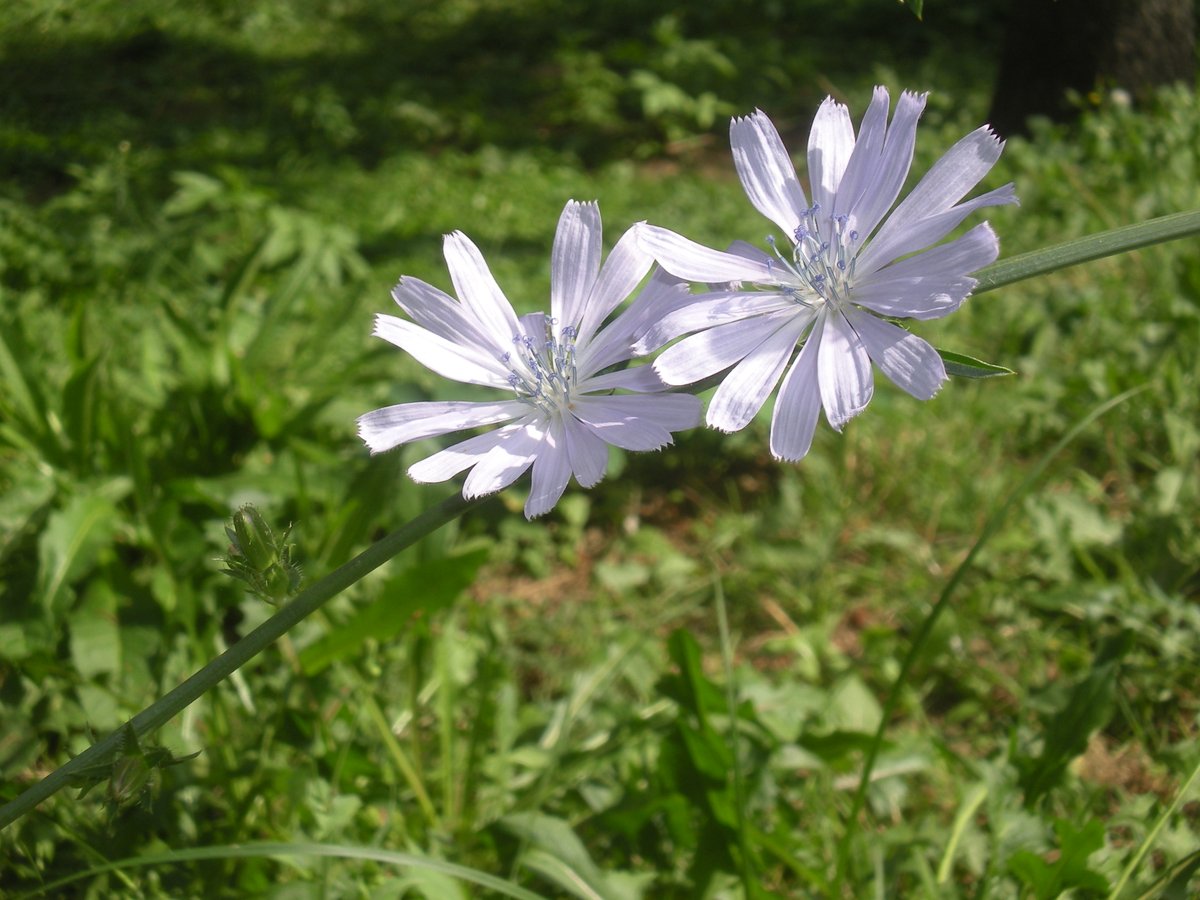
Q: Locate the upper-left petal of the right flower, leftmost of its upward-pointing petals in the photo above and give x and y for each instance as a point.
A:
(766, 171)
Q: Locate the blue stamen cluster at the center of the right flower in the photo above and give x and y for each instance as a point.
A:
(824, 263)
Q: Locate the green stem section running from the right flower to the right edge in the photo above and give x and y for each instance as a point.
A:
(1083, 250)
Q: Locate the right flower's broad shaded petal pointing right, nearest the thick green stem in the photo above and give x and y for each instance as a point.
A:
(933, 284)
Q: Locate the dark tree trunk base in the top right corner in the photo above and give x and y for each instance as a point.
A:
(1053, 47)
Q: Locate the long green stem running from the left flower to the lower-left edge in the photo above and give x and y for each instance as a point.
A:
(307, 602)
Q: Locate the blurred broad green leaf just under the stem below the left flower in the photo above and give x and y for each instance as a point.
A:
(427, 589)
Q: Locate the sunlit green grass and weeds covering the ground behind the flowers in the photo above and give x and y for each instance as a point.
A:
(203, 209)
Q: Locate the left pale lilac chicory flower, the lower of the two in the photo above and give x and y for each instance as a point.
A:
(560, 413)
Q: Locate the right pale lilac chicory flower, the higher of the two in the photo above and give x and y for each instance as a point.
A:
(848, 267)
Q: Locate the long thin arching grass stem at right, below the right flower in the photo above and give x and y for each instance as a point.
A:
(927, 628)
